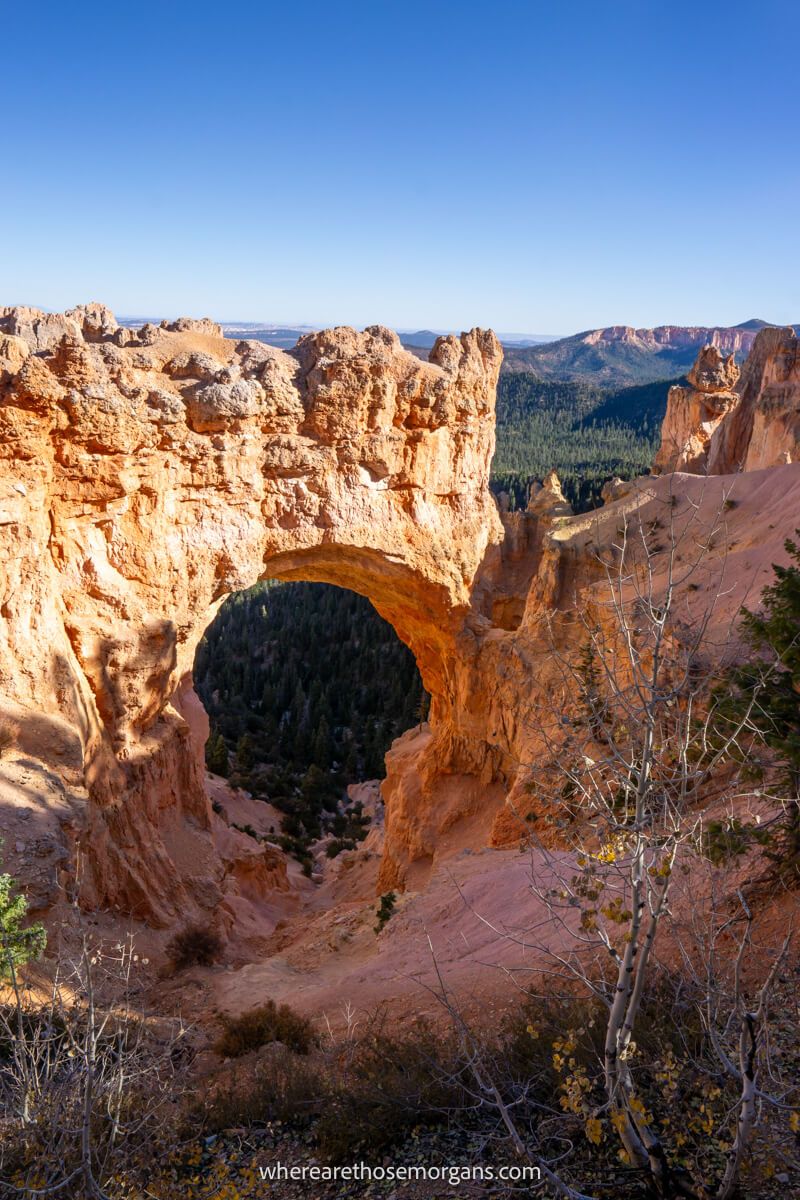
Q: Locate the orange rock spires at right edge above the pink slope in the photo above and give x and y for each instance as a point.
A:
(725, 422)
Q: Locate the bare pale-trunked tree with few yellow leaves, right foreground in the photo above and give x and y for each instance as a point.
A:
(633, 743)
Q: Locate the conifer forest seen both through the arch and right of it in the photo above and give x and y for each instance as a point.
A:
(308, 687)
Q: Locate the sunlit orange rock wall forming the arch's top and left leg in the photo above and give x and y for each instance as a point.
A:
(148, 475)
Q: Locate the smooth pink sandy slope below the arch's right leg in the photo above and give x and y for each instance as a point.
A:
(338, 963)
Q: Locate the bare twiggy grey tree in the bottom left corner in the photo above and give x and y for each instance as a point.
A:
(85, 1084)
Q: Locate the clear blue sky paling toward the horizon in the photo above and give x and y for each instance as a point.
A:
(534, 167)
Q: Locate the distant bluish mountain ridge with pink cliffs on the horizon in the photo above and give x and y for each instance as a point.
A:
(622, 356)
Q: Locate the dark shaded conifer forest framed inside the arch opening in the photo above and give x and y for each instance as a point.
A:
(306, 688)
